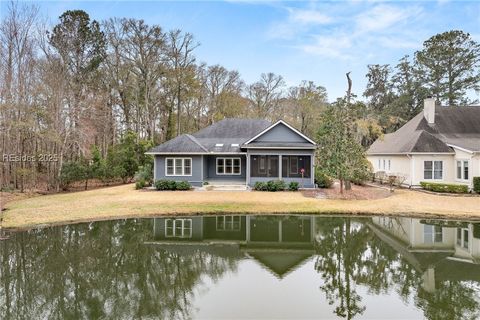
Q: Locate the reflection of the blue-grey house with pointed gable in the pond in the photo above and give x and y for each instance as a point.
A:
(278, 243)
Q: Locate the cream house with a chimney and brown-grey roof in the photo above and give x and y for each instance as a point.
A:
(440, 144)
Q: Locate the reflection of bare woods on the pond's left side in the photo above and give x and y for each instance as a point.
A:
(99, 270)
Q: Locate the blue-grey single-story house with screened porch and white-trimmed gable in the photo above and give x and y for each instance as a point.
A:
(237, 151)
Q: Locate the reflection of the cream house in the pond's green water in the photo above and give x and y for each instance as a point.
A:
(442, 250)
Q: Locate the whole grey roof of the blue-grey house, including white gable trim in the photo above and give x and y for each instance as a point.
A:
(228, 136)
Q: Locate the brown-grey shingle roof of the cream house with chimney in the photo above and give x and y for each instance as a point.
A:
(453, 127)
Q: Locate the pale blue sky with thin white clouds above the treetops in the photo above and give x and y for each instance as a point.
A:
(318, 41)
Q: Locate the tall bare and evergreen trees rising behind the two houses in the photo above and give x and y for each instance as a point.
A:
(100, 93)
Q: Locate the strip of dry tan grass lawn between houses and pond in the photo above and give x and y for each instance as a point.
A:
(123, 201)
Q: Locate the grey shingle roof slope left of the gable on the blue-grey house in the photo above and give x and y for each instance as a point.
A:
(227, 132)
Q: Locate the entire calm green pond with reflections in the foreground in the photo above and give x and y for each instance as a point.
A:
(221, 267)
